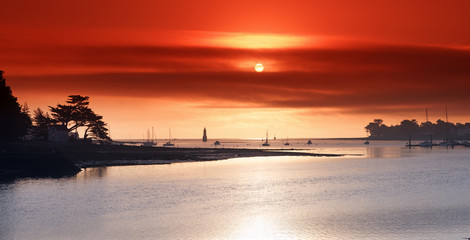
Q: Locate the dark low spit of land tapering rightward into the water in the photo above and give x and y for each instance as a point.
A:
(44, 159)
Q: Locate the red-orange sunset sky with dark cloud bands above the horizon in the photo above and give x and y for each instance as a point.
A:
(330, 67)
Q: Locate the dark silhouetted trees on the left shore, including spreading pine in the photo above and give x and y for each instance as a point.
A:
(16, 122)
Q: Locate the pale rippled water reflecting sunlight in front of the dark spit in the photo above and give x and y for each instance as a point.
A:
(389, 192)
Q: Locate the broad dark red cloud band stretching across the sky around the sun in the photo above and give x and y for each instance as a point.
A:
(360, 79)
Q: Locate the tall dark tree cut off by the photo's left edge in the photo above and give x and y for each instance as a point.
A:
(14, 120)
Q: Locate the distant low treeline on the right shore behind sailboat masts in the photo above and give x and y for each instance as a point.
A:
(424, 131)
